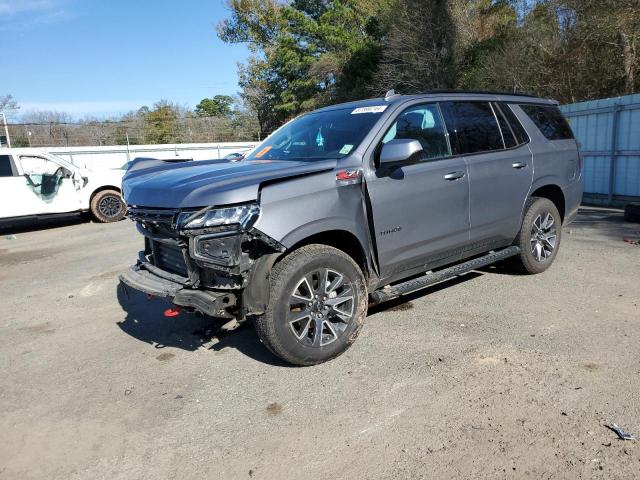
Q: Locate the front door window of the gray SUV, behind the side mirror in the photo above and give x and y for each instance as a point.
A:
(422, 123)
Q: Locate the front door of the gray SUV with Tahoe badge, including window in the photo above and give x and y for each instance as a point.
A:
(420, 207)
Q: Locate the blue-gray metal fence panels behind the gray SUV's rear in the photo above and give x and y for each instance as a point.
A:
(609, 135)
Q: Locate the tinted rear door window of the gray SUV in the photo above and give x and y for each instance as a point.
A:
(472, 127)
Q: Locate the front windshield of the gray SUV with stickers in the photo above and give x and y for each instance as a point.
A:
(322, 135)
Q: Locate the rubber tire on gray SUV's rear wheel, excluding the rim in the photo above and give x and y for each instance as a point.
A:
(526, 262)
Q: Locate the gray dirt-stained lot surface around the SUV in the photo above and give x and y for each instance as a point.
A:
(487, 376)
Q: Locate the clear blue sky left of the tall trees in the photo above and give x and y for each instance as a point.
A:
(105, 57)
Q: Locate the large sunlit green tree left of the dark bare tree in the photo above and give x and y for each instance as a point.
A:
(305, 53)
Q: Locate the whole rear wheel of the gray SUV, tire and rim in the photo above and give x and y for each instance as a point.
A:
(539, 237)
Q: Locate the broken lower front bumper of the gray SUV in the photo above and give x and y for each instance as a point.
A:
(148, 279)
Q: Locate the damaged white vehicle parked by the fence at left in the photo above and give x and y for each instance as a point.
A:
(36, 184)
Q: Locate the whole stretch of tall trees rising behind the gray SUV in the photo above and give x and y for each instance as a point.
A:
(310, 53)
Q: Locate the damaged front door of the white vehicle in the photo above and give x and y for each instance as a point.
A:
(51, 186)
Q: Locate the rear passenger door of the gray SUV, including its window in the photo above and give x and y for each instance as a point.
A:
(499, 164)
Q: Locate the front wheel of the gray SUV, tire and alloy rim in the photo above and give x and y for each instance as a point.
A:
(317, 305)
